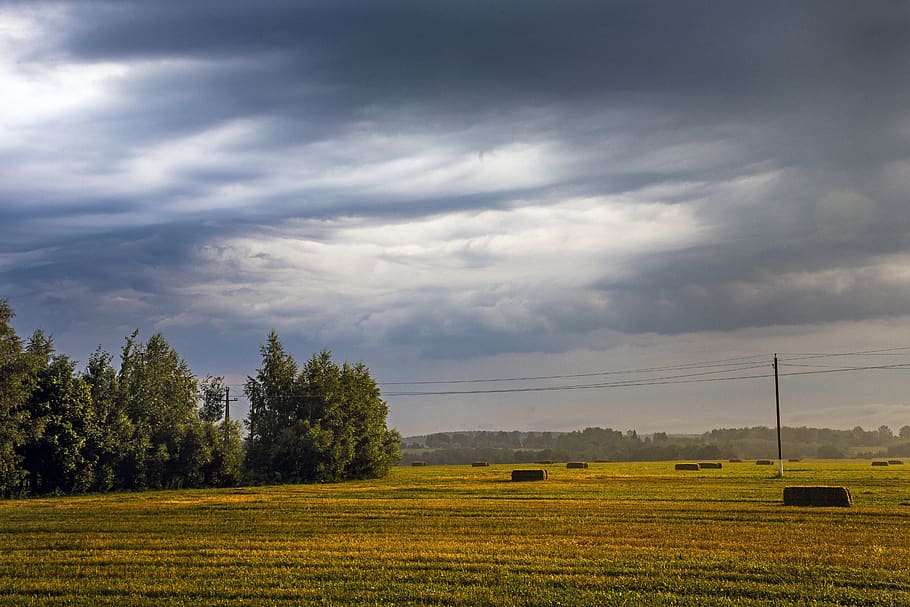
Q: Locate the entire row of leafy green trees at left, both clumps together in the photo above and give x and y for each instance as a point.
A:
(152, 424)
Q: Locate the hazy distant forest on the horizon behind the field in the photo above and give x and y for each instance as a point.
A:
(606, 444)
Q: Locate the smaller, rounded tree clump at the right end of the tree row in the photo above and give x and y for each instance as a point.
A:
(327, 423)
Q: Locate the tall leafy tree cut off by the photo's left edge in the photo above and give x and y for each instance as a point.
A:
(16, 384)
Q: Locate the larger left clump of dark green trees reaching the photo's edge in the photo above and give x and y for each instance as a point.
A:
(103, 429)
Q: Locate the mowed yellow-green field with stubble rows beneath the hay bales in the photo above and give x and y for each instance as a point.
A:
(612, 534)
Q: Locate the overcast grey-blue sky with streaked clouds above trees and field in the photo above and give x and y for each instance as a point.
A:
(468, 190)
